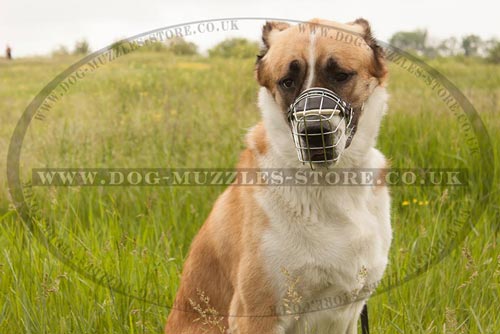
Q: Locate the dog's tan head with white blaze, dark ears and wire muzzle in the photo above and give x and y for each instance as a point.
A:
(341, 58)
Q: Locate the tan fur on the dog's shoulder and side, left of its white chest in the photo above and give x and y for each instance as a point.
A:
(225, 263)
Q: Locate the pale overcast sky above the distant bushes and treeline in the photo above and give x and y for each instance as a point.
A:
(37, 27)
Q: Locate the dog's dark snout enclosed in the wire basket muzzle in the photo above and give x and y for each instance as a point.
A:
(321, 123)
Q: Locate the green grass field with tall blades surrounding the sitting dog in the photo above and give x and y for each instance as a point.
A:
(156, 110)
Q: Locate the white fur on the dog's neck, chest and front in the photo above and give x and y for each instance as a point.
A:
(325, 236)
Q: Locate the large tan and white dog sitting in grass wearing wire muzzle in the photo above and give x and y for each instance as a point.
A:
(275, 259)
